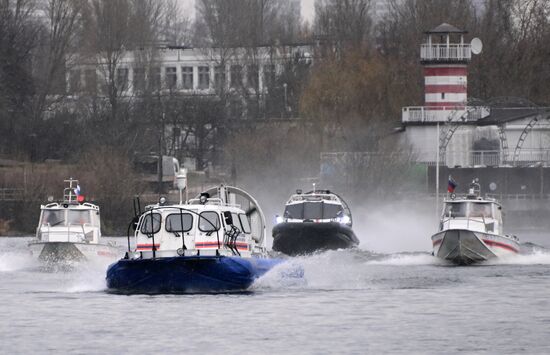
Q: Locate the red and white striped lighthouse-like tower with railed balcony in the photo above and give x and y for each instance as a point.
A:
(445, 58)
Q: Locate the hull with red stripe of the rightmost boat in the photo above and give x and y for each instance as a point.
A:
(464, 247)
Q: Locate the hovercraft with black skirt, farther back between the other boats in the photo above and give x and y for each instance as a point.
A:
(314, 221)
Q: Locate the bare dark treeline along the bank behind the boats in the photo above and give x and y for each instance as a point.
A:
(349, 97)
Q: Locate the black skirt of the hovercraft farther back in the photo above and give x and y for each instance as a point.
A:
(309, 237)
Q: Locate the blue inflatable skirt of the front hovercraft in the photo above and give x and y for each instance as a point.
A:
(186, 274)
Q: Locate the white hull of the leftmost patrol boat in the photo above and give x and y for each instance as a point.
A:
(70, 251)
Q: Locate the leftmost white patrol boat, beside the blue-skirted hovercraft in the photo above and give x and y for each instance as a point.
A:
(70, 230)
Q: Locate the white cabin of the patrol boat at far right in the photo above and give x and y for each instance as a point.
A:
(482, 215)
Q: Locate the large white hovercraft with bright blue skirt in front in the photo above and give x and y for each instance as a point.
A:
(209, 244)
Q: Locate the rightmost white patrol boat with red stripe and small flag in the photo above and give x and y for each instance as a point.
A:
(471, 230)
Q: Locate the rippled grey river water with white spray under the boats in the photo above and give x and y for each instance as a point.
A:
(352, 302)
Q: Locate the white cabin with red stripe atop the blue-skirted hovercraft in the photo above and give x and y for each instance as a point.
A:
(211, 227)
